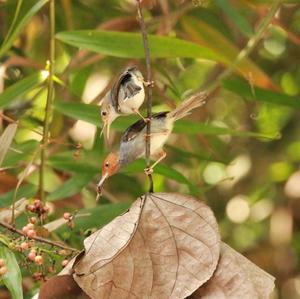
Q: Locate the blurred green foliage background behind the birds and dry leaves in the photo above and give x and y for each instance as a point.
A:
(240, 153)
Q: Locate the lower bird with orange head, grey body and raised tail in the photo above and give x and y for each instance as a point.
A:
(132, 144)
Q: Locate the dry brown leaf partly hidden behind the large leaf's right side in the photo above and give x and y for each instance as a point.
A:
(235, 278)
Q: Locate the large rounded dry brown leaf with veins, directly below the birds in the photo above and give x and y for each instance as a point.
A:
(165, 246)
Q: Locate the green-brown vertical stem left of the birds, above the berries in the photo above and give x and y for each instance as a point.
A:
(45, 138)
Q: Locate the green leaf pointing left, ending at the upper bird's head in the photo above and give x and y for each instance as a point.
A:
(86, 112)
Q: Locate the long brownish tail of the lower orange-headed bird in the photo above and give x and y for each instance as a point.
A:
(186, 106)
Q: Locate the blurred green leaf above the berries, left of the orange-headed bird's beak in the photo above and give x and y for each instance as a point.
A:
(72, 186)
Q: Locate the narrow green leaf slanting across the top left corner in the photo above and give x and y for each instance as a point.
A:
(20, 25)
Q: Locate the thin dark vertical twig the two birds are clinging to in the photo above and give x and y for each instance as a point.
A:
(148, 88)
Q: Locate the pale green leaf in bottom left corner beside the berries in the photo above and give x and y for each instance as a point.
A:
(13, 278)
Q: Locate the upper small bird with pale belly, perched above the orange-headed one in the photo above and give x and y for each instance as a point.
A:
(126, 97)
